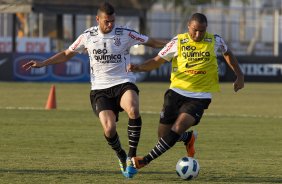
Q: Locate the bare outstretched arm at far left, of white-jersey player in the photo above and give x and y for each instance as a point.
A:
(58, 58)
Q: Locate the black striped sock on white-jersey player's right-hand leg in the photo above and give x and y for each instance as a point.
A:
(134, 132)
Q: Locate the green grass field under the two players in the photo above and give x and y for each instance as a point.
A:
(240, 137)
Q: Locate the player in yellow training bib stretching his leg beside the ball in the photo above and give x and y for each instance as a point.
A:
(194, 76)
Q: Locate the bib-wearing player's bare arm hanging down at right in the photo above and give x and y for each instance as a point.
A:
(233, 64)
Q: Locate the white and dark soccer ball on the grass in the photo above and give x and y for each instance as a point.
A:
(187, 168)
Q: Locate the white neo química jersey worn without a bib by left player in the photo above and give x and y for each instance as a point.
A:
(108, 54)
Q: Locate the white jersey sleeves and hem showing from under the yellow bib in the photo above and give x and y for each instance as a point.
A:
(170, 51)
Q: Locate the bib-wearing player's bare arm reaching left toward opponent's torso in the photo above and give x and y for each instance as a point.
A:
(150, 64)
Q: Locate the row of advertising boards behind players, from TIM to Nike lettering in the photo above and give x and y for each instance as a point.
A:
(255, 69)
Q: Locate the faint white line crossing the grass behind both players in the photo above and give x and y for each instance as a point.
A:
(154, 112)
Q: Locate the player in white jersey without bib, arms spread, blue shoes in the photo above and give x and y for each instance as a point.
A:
(112, 87)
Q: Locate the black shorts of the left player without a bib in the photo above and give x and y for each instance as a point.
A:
(109, 99)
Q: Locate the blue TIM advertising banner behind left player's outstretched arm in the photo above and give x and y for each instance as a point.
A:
(74, 70)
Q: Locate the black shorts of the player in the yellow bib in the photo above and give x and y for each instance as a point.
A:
(174, 104)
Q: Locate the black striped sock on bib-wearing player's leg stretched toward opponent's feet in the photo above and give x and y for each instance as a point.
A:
(164, 144)
